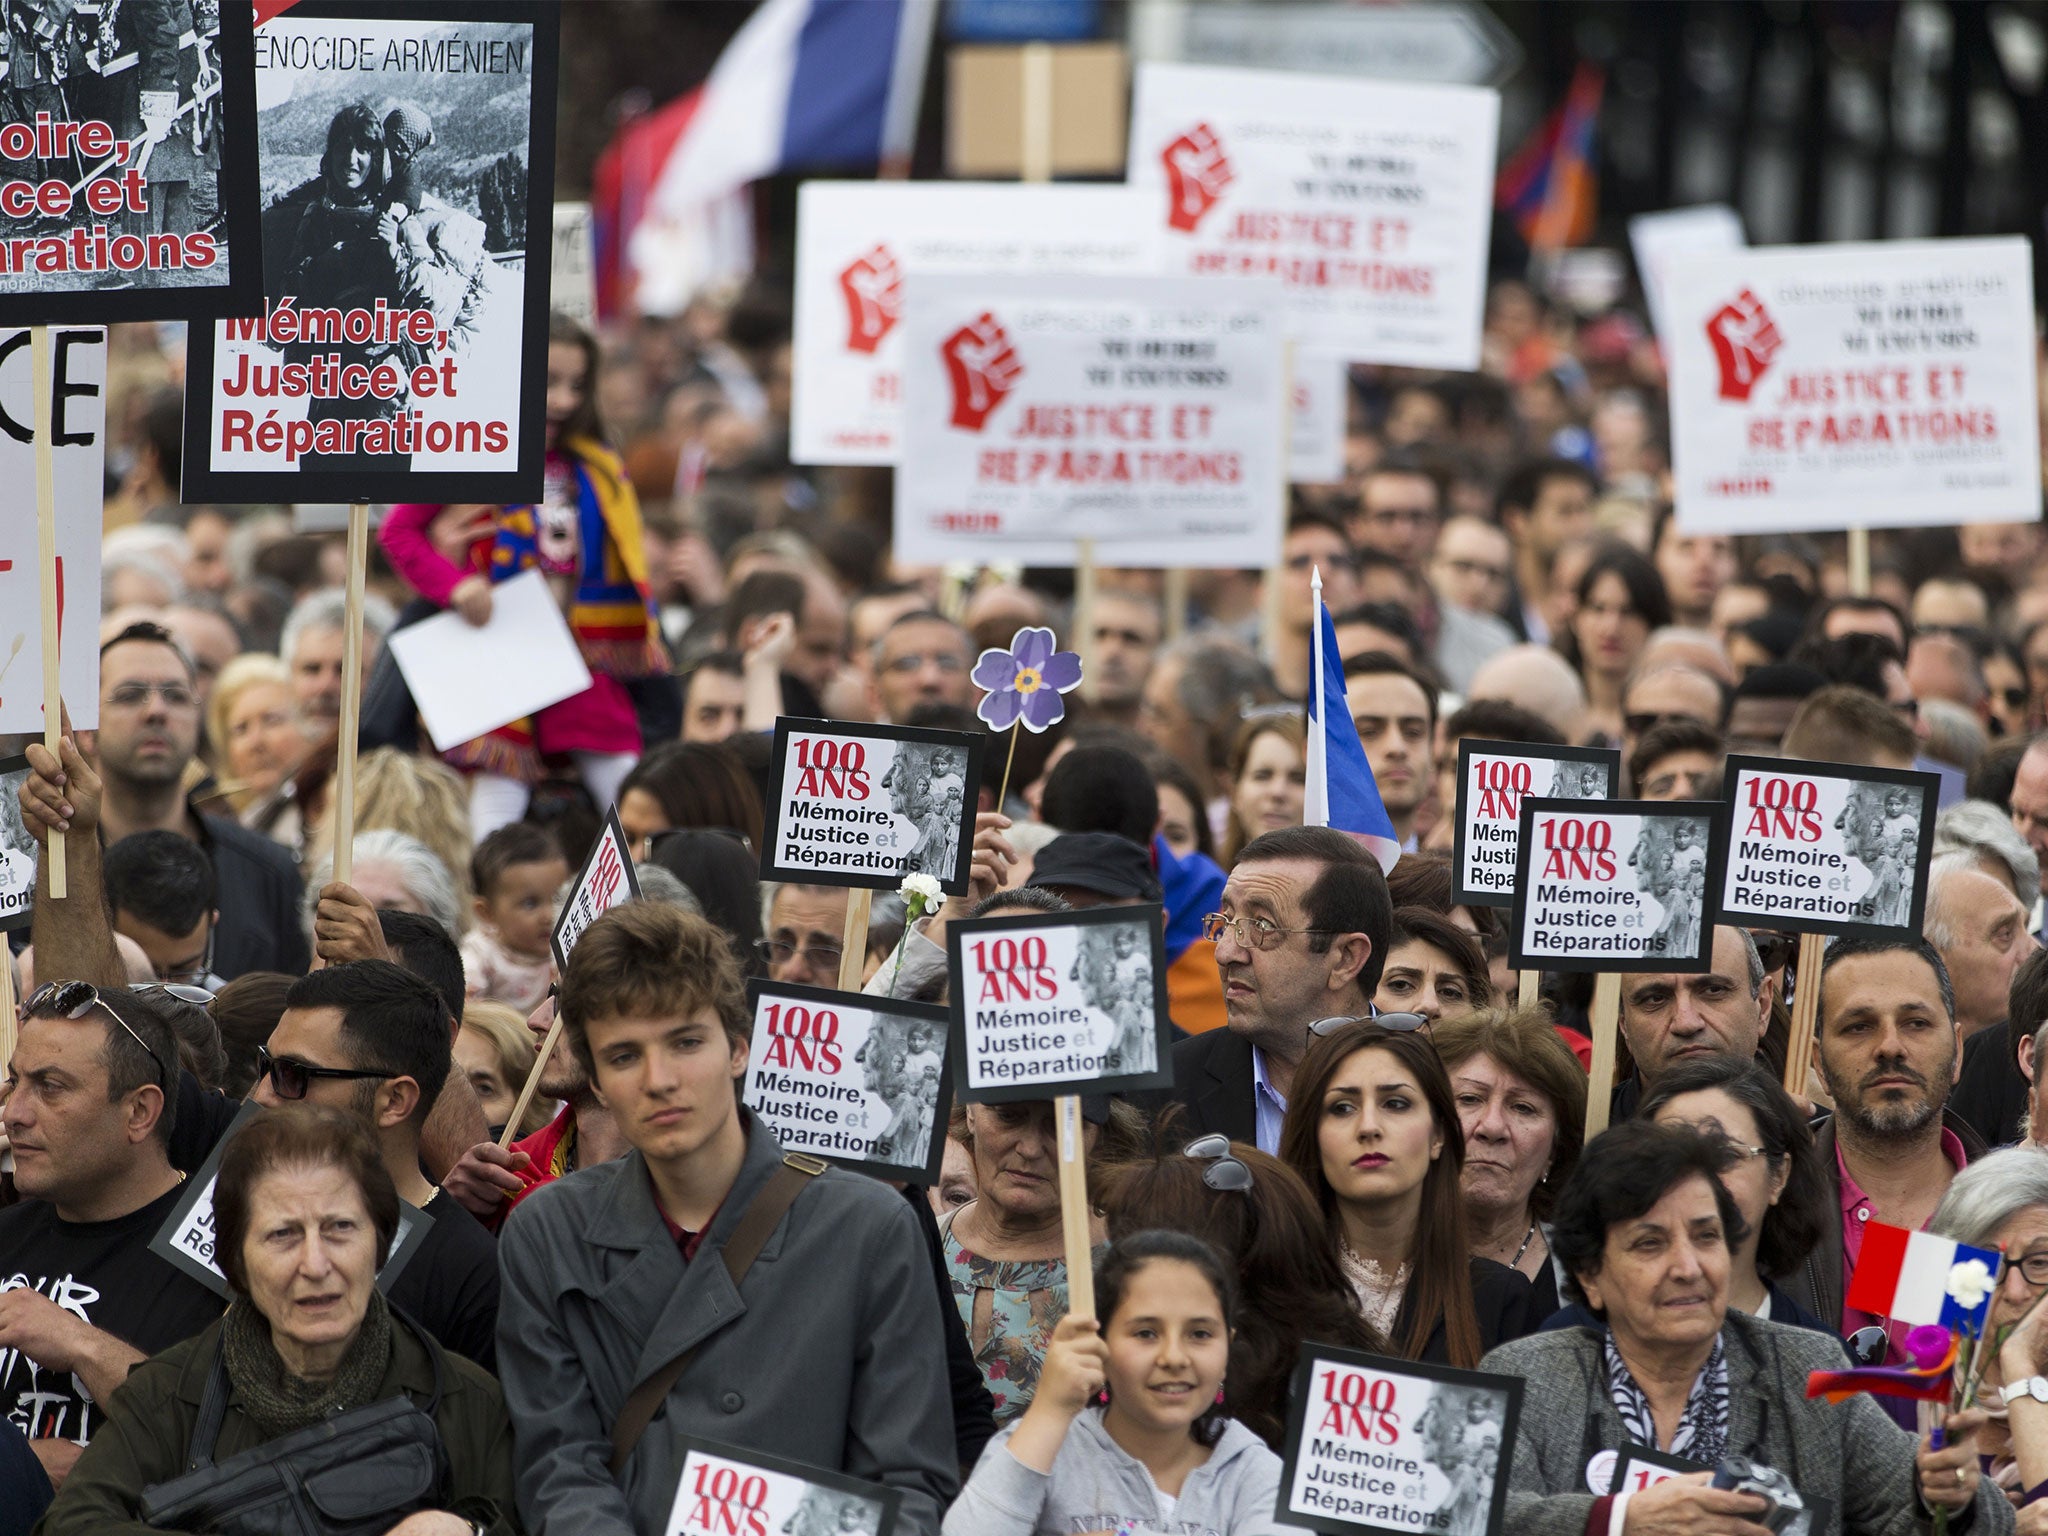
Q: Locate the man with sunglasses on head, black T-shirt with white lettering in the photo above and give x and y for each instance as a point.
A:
(91, 1095)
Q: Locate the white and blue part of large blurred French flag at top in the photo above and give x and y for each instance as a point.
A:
(806, 85)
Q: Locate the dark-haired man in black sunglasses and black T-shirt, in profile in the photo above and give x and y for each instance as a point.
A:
(372, 1039)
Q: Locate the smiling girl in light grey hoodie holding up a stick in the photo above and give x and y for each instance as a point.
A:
(1127, 1428)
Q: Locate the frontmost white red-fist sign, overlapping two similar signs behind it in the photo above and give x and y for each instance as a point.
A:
(1146, 415)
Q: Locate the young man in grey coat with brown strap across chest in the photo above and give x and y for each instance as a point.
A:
(828, 1353)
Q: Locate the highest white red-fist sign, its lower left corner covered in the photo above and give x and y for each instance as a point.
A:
(1371, 202)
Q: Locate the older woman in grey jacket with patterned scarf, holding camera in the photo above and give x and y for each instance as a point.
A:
(1646, 1232)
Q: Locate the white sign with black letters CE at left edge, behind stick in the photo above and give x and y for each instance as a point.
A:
(79, 458)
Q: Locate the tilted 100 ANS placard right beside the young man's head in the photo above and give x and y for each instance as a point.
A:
(857, 1080)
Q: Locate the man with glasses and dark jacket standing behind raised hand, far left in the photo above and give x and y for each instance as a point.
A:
(146, 740)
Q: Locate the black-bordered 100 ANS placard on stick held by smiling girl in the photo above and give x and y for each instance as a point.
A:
(1050, 1005)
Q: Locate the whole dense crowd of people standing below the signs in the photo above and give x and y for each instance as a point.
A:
(1367, 1144)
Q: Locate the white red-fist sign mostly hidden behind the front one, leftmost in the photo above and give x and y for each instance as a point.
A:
(859, 241)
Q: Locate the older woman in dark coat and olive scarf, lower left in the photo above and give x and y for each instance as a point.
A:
(304, 1220)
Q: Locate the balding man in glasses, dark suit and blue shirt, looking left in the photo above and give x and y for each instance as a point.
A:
(1302, 935)
